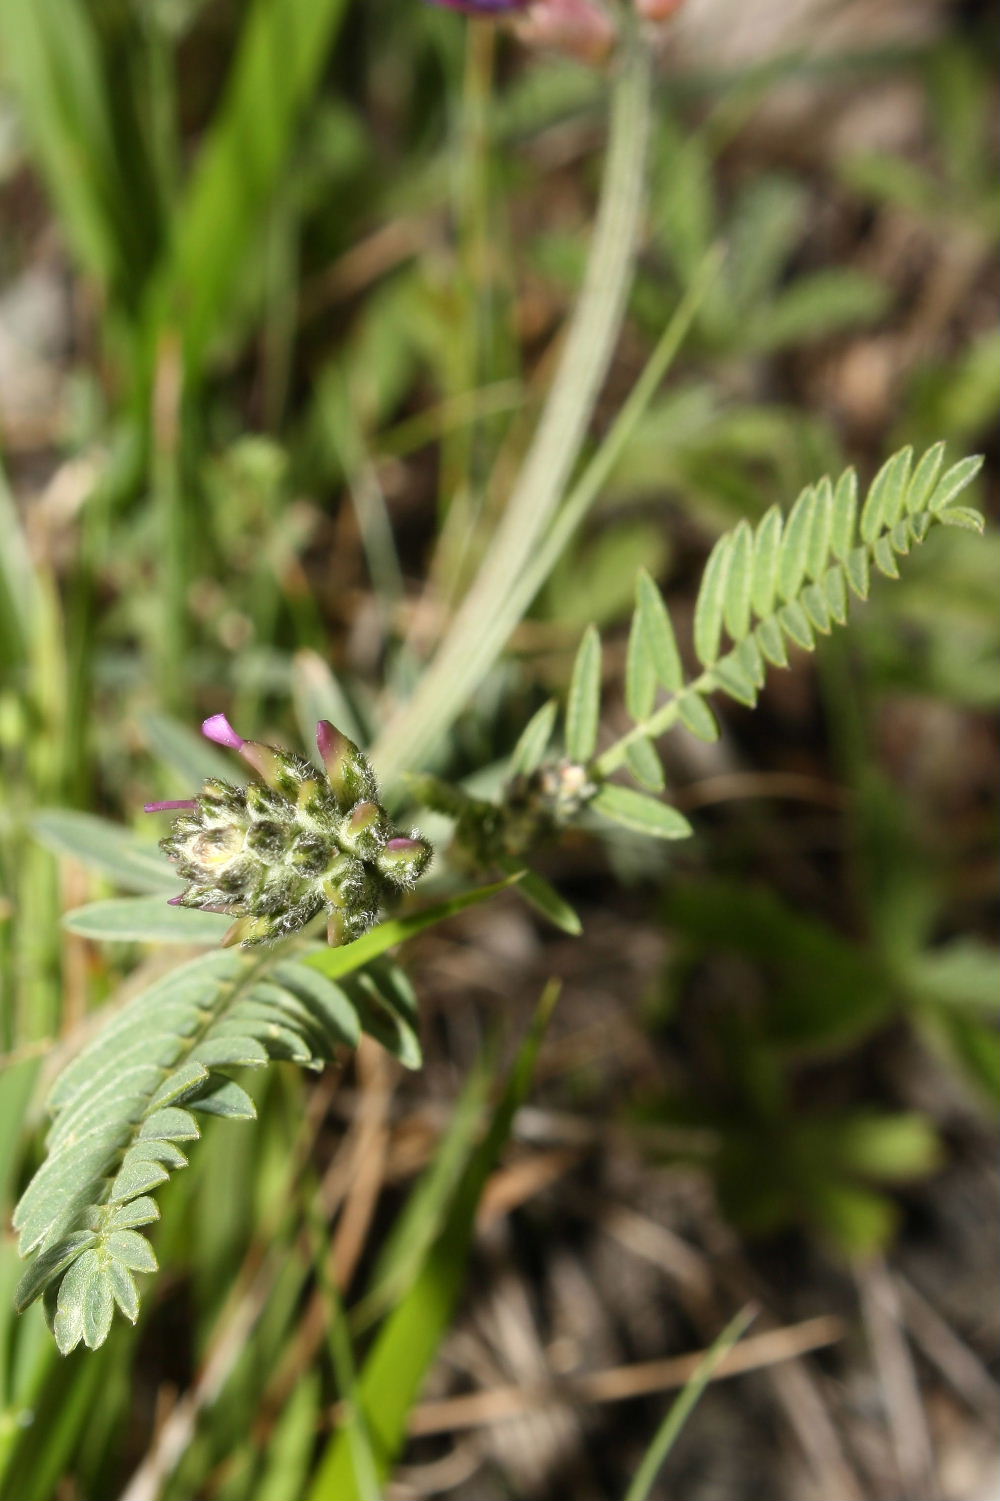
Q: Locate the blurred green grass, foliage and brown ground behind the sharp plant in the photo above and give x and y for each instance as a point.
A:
(279, 295)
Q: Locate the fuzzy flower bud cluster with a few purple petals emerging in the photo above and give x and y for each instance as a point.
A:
(277, 853)
